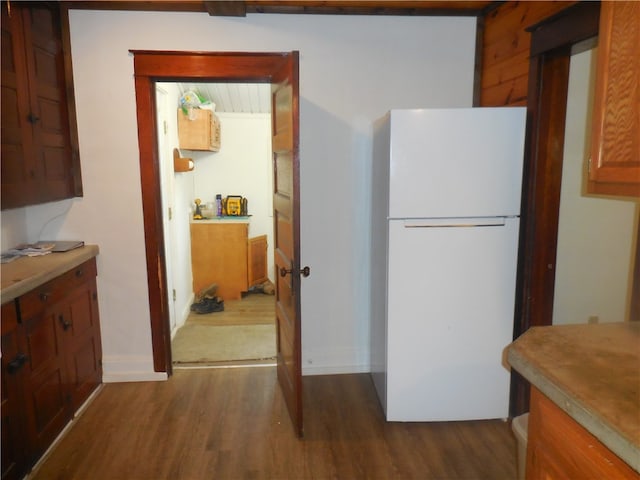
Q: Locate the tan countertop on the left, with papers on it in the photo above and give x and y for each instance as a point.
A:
(26, 273)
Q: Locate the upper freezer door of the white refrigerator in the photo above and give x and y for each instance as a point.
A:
(462, 162)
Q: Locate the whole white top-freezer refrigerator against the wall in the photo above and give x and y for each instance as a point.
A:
(445, 218)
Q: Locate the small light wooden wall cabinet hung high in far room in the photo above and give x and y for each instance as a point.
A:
(199, 130)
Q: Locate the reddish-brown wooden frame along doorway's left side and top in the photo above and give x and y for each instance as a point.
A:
(171, 66)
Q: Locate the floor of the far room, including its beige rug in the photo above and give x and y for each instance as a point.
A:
(244, 332)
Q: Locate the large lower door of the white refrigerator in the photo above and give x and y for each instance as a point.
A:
(451, 291)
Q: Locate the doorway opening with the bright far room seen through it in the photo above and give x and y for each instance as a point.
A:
(242, 331)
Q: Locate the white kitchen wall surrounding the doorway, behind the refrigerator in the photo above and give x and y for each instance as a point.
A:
(352, 70)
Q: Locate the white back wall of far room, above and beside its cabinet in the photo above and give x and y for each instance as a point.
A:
(241, 167)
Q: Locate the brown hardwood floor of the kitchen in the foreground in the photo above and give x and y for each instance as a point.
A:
(233, 424)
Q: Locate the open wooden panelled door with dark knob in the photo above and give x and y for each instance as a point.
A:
(286, 165)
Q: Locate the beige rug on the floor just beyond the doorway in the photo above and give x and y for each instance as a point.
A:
(207, 344)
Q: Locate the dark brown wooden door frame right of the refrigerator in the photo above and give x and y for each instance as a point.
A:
(553, 41)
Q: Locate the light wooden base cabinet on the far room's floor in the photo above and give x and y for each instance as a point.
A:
(222, 253)
